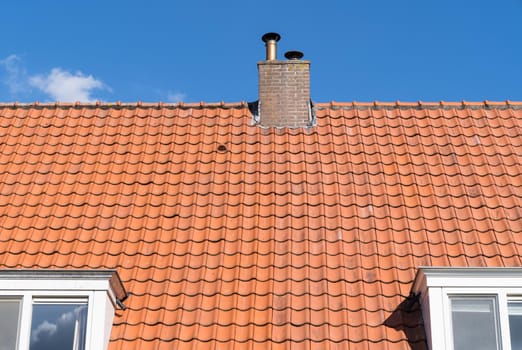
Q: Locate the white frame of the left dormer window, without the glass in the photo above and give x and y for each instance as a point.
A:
(101, 289)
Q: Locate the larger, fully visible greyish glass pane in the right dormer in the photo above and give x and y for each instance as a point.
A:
(474, 322)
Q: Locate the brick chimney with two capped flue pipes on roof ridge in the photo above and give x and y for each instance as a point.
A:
(284, 88)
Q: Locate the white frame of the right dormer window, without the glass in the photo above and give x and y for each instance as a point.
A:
(436, 285)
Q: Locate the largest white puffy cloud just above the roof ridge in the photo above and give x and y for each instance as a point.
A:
(63, 86)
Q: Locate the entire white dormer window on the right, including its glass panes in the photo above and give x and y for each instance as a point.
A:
(471, 308)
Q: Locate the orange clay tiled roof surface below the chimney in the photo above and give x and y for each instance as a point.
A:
(231, 236)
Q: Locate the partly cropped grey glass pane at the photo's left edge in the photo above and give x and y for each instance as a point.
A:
(9, 321)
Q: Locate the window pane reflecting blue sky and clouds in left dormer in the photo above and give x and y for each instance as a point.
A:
(58, 326)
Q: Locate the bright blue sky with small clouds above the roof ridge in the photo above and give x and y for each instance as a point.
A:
(202, 50)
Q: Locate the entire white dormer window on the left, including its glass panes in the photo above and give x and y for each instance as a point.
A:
(50, 309)
